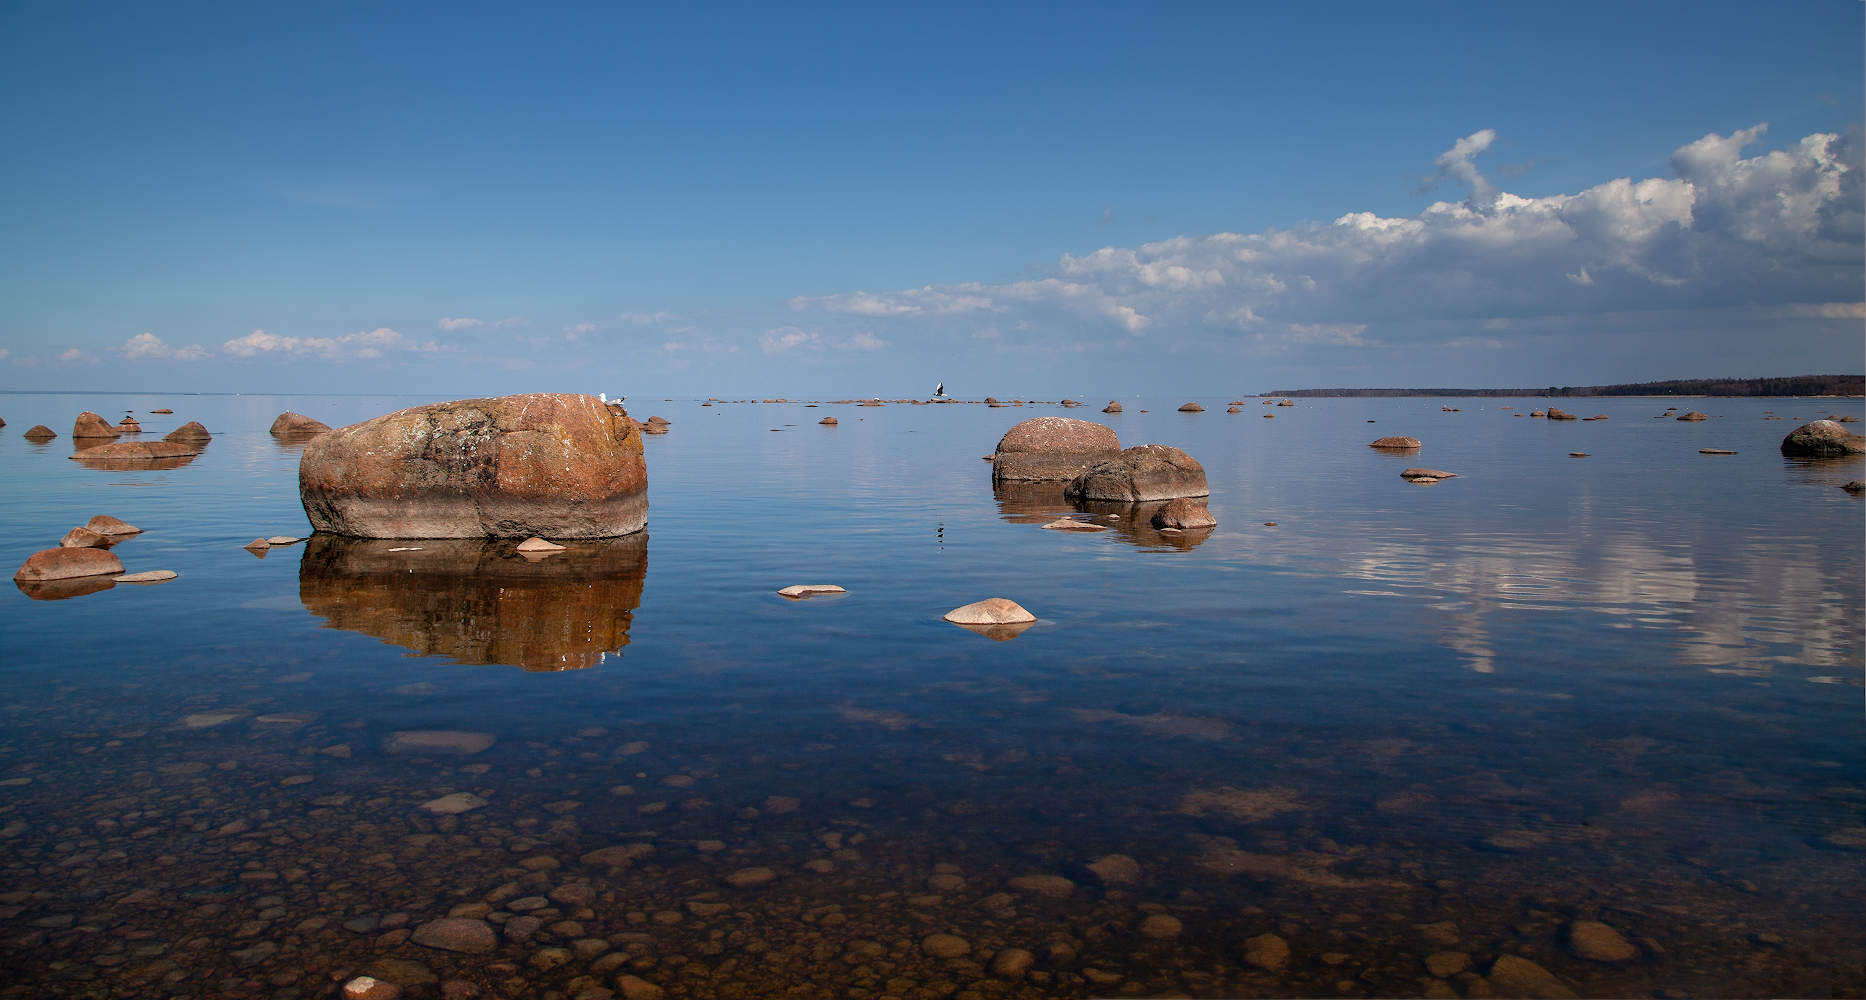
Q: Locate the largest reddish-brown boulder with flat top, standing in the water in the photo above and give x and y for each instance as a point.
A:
(550, 465)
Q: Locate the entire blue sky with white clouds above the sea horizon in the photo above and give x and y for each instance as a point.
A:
(861, 199)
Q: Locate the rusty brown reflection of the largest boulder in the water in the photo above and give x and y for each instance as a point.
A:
(480, 602)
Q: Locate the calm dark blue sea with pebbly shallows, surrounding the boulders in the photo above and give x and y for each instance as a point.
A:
(1395, 745)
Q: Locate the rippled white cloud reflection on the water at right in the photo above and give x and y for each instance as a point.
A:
(1766, 594)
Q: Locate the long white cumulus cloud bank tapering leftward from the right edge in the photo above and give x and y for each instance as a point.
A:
(1772, 230)
